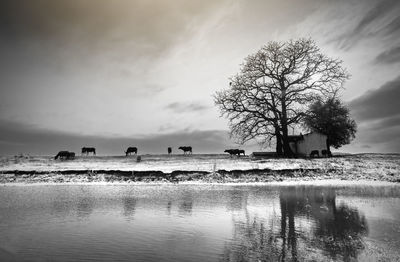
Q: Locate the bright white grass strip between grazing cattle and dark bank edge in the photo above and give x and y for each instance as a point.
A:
(162, 163)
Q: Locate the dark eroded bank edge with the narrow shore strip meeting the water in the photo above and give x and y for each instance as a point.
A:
(220, 176)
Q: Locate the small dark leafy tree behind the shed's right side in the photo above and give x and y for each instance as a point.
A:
(332, 118)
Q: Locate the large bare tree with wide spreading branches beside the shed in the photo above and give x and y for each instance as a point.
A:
(274, 87)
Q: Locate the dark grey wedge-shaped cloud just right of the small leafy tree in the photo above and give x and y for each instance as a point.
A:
(378, 104)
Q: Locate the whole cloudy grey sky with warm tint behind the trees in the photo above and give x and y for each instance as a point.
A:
(142, 72)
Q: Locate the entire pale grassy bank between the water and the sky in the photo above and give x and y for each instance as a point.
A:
(199, 168)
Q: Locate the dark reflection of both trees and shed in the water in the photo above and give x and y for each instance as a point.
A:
(338, 230)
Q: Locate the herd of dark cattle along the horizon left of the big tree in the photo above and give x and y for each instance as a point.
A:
(133, 150)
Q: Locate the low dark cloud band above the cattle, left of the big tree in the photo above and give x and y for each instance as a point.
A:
(22, 138)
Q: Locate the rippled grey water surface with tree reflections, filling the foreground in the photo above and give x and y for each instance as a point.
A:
(199, 223)
